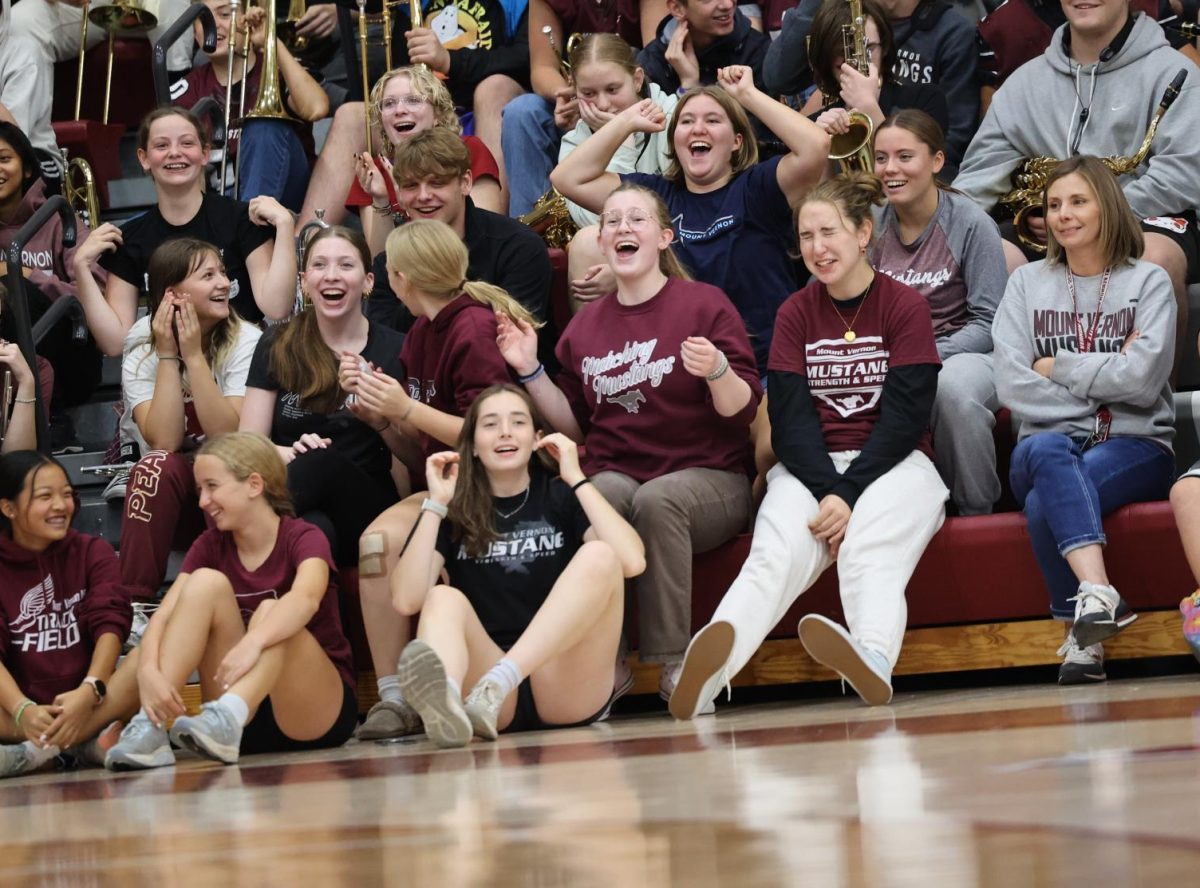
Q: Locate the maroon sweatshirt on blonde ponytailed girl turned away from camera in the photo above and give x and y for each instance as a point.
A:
(449, 361)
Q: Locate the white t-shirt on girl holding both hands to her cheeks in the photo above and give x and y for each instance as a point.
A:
(140, 365)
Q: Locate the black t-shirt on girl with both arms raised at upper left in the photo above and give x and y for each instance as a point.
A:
(221, 221)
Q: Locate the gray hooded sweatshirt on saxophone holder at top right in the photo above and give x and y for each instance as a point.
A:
(1040, 112)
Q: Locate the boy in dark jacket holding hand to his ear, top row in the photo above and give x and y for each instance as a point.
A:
(699, 39)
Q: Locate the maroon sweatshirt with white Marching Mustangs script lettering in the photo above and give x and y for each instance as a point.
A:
(643, 415)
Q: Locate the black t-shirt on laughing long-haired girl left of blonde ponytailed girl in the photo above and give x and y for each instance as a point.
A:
(361, 443)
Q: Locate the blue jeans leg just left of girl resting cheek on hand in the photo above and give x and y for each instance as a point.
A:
(530, 141)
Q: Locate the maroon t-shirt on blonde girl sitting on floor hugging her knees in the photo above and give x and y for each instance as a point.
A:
(297, 542)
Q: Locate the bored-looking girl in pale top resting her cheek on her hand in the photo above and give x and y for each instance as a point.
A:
(608, 81)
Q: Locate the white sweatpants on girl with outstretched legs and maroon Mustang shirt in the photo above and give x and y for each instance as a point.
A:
(890, 527)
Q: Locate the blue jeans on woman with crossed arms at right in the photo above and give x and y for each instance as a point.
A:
(1066, 491)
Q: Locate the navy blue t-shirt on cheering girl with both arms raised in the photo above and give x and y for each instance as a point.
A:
(737, 238)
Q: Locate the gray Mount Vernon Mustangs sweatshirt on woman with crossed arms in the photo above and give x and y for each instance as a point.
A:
(1036, 321)
